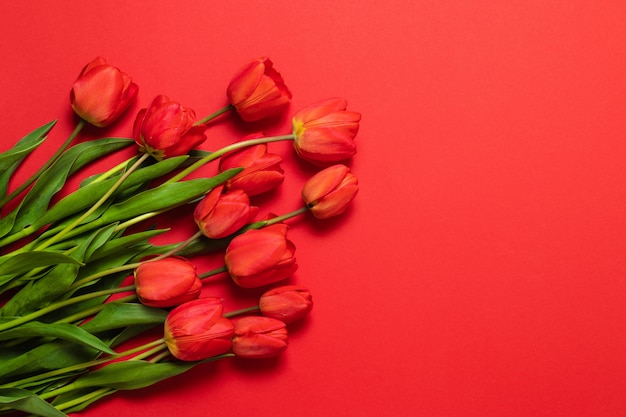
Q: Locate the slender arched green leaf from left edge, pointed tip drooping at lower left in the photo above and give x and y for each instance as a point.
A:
(63, 331)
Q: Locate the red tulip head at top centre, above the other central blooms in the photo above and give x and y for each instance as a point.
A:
(258, 91)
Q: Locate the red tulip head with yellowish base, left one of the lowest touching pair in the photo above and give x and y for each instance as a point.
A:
(197, 330)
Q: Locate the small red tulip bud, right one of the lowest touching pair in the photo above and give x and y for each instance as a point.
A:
(259, 337)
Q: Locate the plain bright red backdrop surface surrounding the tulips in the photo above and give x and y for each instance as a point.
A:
(481, 269)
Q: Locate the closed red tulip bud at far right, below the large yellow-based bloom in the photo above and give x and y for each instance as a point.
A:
(330, 191)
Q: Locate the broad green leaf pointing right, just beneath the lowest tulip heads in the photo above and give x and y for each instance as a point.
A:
(133, 374)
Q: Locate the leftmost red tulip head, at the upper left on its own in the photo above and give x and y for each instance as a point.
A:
(101, 93)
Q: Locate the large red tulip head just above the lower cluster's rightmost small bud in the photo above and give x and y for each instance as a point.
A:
(261, 256)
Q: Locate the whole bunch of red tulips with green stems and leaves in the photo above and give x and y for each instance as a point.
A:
(67, 256)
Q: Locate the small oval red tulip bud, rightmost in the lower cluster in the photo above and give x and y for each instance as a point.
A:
(287, 303)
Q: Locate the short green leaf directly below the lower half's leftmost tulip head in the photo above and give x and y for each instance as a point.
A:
(118, 315)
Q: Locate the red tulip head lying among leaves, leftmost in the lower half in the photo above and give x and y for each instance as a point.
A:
(167, 282)
